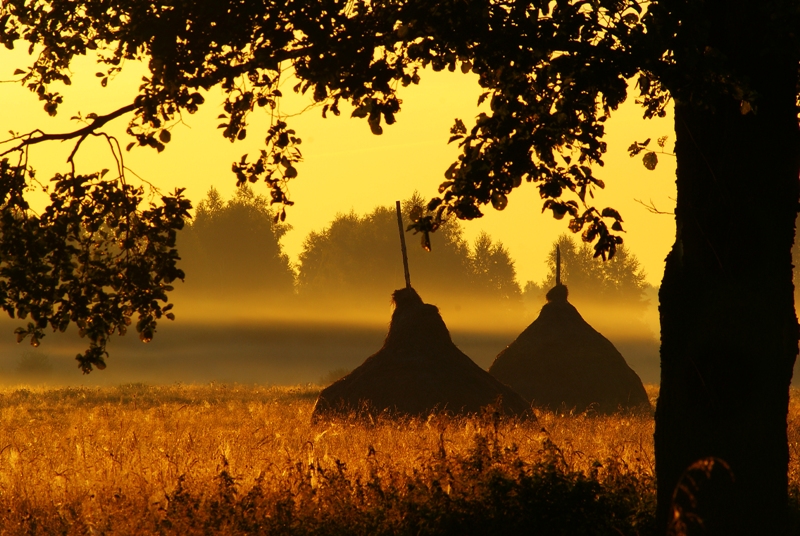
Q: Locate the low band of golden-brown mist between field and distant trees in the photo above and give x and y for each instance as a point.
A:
(237, 341)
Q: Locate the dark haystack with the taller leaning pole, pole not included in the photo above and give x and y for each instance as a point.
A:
(417, 371)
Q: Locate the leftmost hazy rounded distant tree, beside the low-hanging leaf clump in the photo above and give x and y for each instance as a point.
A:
(232, 250)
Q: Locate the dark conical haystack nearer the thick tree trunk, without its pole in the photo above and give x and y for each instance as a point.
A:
(561, 361)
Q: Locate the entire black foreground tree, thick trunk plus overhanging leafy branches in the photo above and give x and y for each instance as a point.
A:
(553, 72)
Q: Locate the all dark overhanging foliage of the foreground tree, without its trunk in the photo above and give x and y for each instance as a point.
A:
(552, 73)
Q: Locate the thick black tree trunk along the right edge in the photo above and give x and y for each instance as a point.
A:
(728, 327)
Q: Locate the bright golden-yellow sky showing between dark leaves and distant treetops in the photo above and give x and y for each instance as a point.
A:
(346, 167)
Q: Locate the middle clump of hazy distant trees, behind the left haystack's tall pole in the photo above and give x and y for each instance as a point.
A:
(356, 258)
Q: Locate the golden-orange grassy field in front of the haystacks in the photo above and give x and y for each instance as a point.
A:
(229, 459)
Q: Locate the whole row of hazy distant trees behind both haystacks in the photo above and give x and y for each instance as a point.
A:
(233, 259)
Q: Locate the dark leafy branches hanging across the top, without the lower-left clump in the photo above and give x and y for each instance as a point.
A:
(552, 72)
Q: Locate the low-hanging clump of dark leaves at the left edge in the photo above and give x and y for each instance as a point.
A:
(93, 257)
